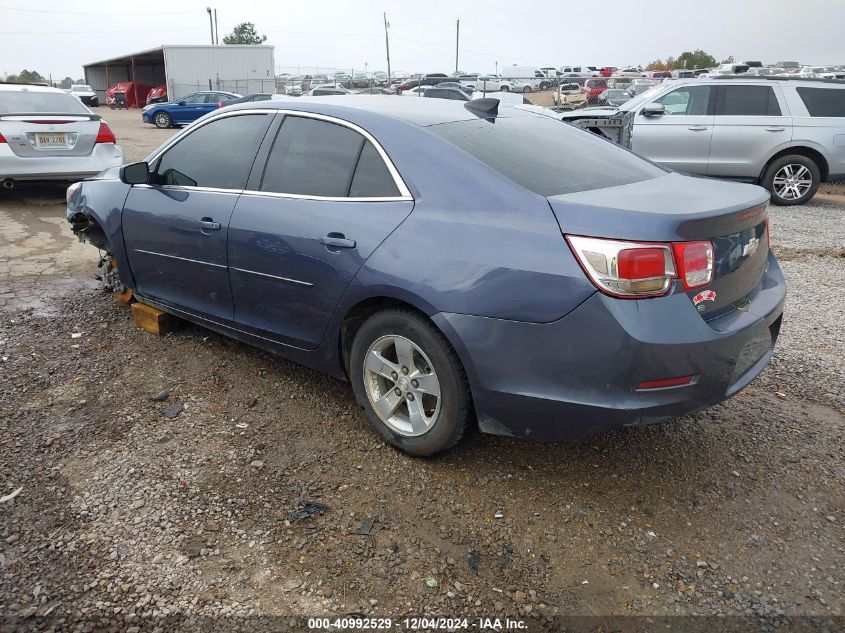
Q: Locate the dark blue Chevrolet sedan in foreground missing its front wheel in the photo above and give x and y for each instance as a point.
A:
(459, 264)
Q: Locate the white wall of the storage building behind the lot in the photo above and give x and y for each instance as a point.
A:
(240, 69)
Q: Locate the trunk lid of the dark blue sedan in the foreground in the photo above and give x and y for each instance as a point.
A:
(675, 208)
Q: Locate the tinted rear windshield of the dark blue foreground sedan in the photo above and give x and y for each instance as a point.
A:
(545, 155)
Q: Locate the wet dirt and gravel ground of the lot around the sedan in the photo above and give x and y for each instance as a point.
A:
(161, 477)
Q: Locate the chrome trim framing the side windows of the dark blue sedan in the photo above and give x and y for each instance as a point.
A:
(404, 192)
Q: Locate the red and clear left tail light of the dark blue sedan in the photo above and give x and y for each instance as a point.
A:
(637, 270)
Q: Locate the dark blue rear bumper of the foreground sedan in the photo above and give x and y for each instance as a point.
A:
(580, 375)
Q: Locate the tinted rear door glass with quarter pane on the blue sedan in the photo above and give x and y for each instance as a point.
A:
(319, 158)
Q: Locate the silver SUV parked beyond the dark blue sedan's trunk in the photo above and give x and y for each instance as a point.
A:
(788, 135)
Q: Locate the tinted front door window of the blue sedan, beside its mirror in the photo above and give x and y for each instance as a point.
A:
(218, 154)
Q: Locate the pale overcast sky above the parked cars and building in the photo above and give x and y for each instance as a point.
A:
(57, 37)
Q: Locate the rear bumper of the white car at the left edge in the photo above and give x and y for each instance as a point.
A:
(103, 156)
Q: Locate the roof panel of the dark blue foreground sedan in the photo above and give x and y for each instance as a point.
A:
(420, 112)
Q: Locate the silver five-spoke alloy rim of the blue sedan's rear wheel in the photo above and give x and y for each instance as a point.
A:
(401, 385)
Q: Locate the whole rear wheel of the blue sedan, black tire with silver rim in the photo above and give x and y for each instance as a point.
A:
(410, 382)
